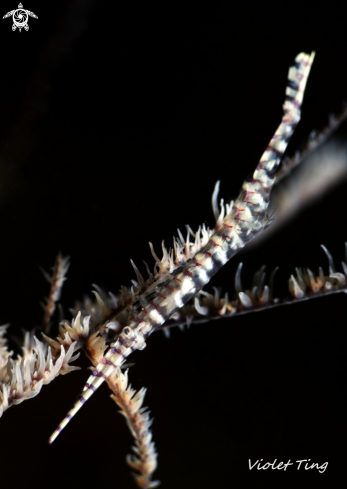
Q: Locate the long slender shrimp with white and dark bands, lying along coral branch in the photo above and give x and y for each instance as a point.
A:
(245, 221)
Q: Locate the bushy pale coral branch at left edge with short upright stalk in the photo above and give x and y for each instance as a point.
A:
(23, 378)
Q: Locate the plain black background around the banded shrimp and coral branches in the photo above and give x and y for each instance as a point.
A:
(115, 124)
